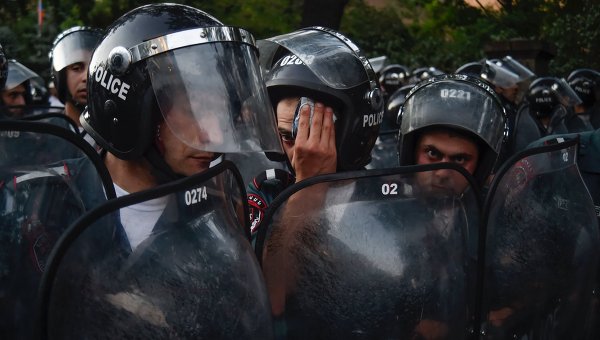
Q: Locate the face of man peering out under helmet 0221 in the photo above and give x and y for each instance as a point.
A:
(445, 146)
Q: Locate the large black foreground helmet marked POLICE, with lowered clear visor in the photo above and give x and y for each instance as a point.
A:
(177, 64)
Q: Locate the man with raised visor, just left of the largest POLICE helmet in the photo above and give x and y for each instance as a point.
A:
(69, 59)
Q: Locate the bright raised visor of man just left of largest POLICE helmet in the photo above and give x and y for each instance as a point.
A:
(74, 48)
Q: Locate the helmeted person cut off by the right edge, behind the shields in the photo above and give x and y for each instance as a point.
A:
(586, 83)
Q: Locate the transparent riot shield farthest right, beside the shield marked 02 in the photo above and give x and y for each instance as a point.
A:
(541, 250)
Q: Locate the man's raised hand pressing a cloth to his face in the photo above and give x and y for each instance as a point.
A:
(315, 152)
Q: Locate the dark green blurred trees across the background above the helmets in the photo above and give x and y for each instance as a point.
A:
(440, 33)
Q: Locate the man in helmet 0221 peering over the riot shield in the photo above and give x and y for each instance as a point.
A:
(465, 126)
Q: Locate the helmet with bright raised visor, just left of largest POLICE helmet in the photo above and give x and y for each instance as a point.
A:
(74, 45)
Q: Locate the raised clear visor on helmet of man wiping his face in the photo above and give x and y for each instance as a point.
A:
(322, 53)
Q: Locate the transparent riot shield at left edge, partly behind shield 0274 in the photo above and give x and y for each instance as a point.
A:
(49, 177)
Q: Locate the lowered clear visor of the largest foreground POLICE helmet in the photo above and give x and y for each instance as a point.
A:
(213, 98)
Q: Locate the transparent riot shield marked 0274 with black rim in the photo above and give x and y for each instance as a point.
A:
(194, 275)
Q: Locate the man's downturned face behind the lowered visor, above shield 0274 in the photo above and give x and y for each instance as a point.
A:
(181, 157)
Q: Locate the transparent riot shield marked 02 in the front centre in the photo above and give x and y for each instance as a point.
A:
(373, 254)
